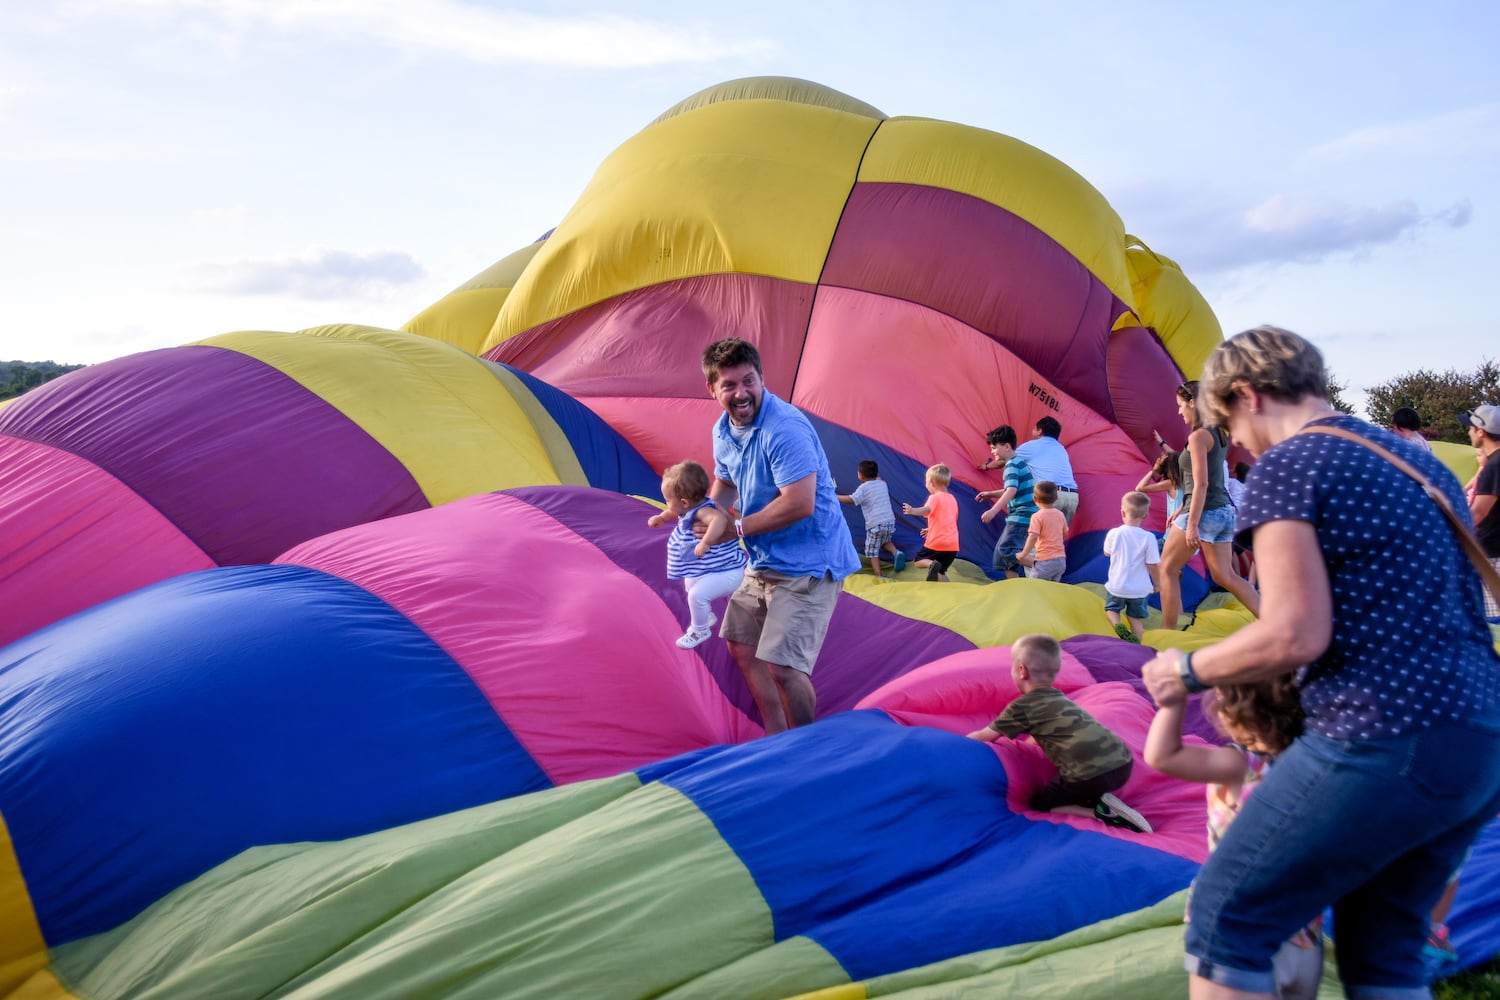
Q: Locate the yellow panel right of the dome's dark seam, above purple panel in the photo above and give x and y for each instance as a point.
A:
(1010, 175)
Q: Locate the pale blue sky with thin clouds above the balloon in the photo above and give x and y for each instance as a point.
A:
(178, 169)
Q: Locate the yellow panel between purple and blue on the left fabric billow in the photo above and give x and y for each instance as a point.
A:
(436, 409)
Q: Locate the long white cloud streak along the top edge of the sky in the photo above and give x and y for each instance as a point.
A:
(475, 32)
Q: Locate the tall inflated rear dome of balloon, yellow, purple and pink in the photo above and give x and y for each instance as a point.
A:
(910, 283)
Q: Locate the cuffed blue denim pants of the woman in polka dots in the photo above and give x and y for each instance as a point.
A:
(1375, 828)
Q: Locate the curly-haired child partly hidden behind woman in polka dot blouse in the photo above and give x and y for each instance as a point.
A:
(1262, 720)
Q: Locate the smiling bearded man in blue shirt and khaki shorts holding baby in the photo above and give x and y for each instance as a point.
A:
(773, 470)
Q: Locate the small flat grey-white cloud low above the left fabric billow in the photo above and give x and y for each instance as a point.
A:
(319, 274)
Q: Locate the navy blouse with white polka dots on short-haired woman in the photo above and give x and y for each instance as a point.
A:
(1411, 648)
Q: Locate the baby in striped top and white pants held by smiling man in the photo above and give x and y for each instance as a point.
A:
(710, 567)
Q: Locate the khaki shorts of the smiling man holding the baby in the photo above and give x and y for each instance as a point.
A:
(784, 617)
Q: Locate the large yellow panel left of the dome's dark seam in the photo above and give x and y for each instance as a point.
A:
(748, 187)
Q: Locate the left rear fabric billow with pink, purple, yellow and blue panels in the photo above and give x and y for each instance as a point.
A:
(232, 451)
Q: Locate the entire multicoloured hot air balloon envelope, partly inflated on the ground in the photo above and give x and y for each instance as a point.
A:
(343, 663)
